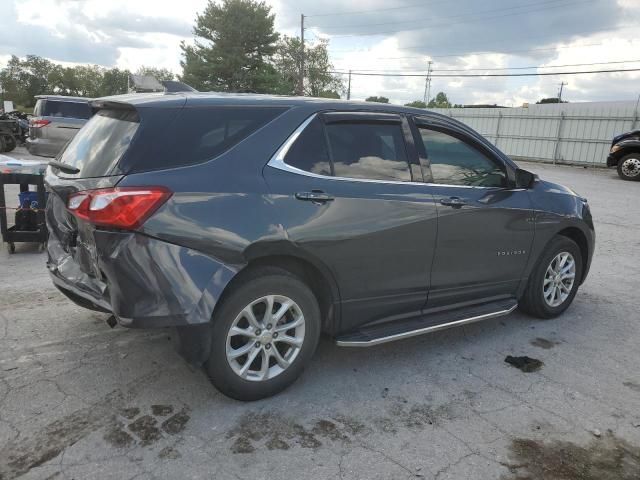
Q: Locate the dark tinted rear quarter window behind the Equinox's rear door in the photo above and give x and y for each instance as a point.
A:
(194, 135)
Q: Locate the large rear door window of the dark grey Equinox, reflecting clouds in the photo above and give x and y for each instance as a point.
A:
(369, 150)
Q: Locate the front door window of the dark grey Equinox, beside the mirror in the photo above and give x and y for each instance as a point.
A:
(454, 162)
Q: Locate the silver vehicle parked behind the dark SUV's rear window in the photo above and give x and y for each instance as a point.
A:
(56, 120)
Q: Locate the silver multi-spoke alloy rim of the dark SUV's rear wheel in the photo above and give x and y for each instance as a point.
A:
(265, 338)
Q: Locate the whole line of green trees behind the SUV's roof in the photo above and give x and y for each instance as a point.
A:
(235, 49)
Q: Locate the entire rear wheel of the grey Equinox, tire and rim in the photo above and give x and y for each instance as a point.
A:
(264, 334)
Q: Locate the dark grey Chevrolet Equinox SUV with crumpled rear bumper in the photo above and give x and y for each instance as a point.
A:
(254, 223)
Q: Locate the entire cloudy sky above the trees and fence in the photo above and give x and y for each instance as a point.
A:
(370, 36)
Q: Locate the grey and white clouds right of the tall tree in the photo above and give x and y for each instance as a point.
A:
(470, 34)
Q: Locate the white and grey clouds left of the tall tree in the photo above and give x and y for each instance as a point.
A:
(86, 32)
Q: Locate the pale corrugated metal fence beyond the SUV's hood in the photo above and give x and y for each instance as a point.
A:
(571, 133)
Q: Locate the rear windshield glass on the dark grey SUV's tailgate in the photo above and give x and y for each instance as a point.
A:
(98, 146)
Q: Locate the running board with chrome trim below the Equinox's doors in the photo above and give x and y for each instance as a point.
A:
(377, 336)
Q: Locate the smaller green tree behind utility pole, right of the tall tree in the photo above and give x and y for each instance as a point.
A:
(318, 79)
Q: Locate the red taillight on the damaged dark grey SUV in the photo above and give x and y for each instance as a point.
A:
(120, 207)
